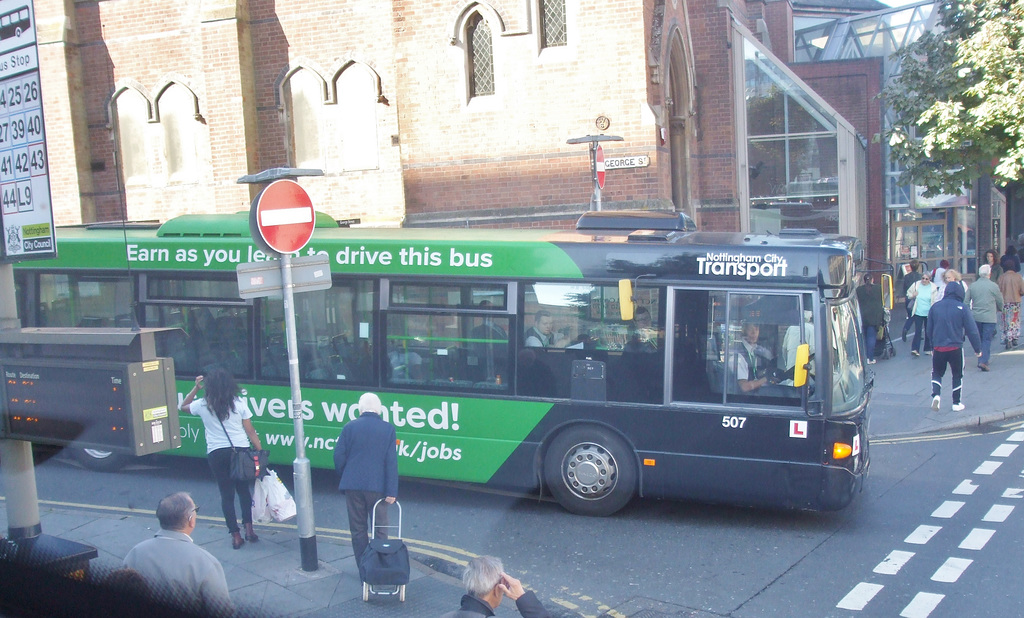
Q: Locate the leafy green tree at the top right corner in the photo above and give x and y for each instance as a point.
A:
(959, 100)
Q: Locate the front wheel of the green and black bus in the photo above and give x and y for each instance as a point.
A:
(590, 471)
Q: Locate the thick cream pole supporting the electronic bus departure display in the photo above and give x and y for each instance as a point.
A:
(17, 467)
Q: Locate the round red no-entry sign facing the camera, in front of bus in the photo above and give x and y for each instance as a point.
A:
(283, 217)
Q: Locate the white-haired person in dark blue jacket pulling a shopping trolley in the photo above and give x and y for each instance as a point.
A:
(367, 460)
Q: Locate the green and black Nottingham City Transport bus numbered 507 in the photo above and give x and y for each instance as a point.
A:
(632, 357)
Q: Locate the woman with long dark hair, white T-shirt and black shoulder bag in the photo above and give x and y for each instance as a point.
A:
(228, 423)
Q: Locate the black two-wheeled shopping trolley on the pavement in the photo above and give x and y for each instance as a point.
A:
(385, 566)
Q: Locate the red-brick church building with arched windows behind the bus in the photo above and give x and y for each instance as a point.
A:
(458, 113)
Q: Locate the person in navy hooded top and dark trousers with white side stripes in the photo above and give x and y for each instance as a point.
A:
(949, 321)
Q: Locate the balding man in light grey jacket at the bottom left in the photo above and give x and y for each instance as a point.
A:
(178, 570)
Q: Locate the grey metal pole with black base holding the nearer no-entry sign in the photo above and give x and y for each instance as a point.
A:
(304, 484)
